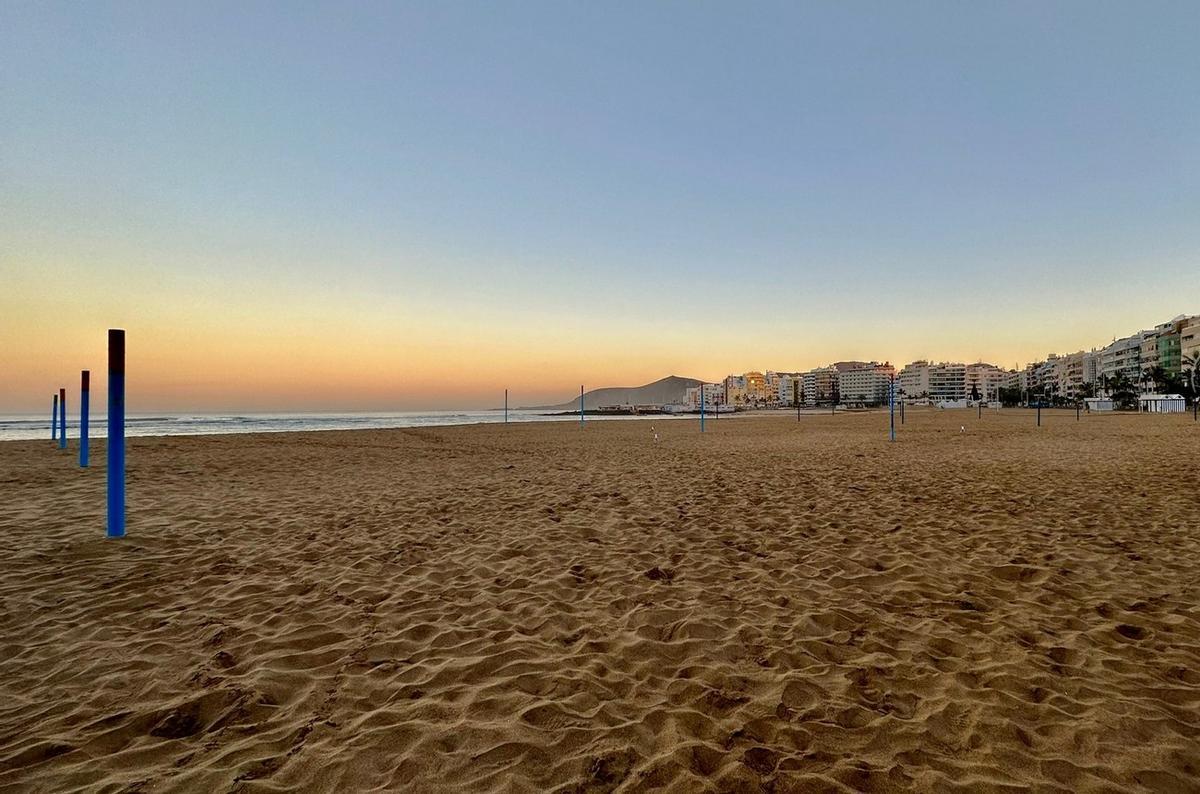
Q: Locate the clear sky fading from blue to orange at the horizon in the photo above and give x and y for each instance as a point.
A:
(415, 206)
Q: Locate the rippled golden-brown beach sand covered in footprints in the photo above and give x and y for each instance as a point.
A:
(775, 606)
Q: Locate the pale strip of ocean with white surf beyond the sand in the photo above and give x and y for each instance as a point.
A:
(27, 426)
